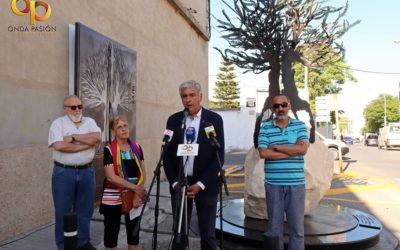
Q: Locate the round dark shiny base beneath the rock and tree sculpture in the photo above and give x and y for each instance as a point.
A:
(327, 227)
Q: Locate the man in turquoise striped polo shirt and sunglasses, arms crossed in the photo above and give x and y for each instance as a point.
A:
(283, 142)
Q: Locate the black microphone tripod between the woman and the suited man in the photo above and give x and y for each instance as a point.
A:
(156, 175)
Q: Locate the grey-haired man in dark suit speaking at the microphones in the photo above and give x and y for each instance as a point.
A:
(203, 181)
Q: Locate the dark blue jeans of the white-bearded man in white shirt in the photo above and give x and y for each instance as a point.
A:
(73, 187)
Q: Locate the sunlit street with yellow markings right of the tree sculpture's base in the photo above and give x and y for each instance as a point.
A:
(378, 170)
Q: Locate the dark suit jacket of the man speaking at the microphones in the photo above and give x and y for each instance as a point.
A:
(205, 167)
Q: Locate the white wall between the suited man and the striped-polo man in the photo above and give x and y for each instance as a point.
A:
(238, 128)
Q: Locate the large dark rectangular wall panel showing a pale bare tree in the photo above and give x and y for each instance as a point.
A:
(105, 78)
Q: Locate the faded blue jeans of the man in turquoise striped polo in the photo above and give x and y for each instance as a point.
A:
(289, 200)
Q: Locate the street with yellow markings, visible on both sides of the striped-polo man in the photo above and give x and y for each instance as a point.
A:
(370, 183)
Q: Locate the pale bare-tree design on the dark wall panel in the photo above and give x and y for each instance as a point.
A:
(108, 84)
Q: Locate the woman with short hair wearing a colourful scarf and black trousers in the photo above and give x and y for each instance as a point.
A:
(124, 170)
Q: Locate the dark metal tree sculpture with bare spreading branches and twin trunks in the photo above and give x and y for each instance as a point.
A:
(273, 34)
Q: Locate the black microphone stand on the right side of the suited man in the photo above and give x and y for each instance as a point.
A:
(216, 146)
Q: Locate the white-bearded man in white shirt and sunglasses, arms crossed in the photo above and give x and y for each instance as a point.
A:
(73, 138)
